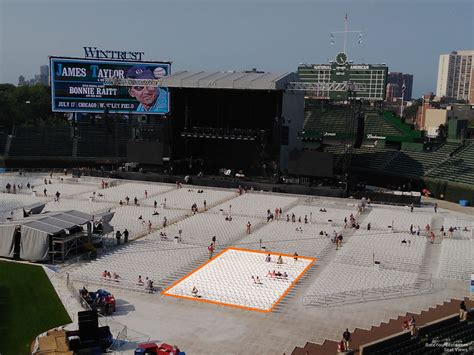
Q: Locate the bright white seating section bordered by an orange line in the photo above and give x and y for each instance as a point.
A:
(242, 278)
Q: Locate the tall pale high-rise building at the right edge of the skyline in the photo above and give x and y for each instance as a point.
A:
(456, 76)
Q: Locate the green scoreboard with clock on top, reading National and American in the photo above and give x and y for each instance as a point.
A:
(373, 76)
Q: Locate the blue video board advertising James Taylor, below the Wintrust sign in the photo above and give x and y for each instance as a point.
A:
(94, 86)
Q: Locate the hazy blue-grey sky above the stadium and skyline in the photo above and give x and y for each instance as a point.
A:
(271, 35)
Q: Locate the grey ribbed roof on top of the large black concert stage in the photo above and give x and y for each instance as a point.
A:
(229, 80)
